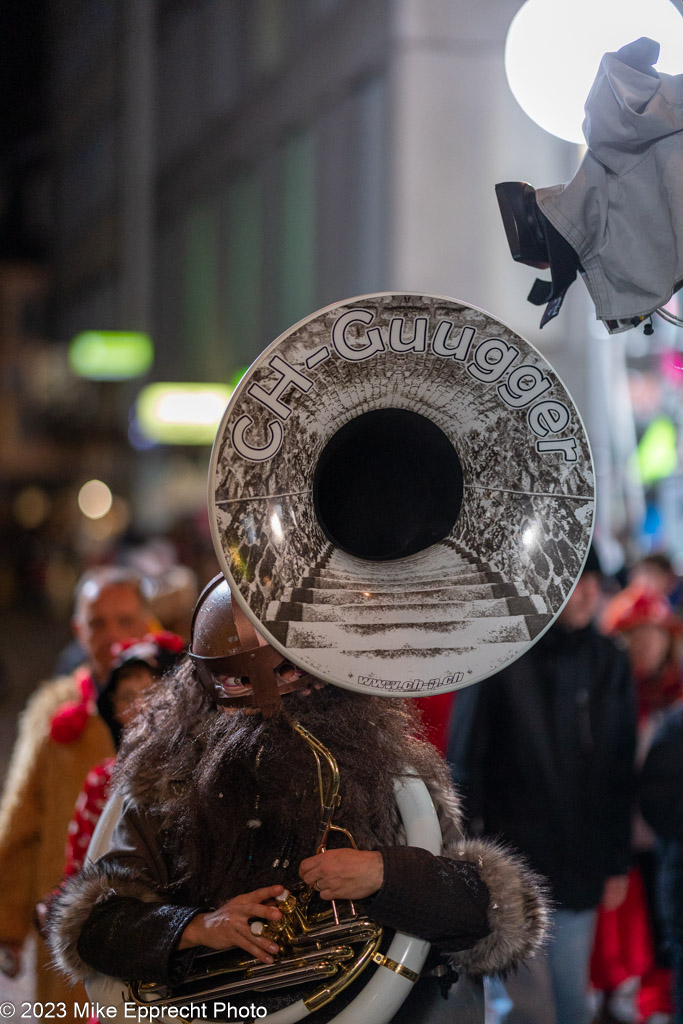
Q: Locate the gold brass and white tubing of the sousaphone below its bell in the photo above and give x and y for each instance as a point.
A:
(333, 947)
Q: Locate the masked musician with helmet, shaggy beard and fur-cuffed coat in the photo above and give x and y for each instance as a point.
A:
(221, 814)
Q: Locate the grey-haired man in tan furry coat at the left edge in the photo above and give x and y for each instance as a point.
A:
(61, 738)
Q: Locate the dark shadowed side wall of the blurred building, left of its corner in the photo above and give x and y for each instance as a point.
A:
(221, 169)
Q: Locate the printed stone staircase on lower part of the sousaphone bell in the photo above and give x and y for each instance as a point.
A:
(399, 613)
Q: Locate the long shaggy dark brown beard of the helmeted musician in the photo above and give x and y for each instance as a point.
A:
(236, 796)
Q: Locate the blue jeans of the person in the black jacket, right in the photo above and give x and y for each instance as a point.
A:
(553, 988)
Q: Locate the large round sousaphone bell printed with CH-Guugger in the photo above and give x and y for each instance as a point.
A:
(402, 494)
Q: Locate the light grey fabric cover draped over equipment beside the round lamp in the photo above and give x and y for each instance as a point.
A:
(623, 210)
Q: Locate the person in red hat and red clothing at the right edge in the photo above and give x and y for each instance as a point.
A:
(630, 944)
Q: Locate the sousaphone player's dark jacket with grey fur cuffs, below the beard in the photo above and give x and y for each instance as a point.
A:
(480, 906)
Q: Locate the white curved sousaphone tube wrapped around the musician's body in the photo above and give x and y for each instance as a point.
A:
(386, 992)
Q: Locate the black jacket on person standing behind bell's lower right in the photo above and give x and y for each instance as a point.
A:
(544, 754)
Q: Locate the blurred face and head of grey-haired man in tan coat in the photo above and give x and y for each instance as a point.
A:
(110, 616)
